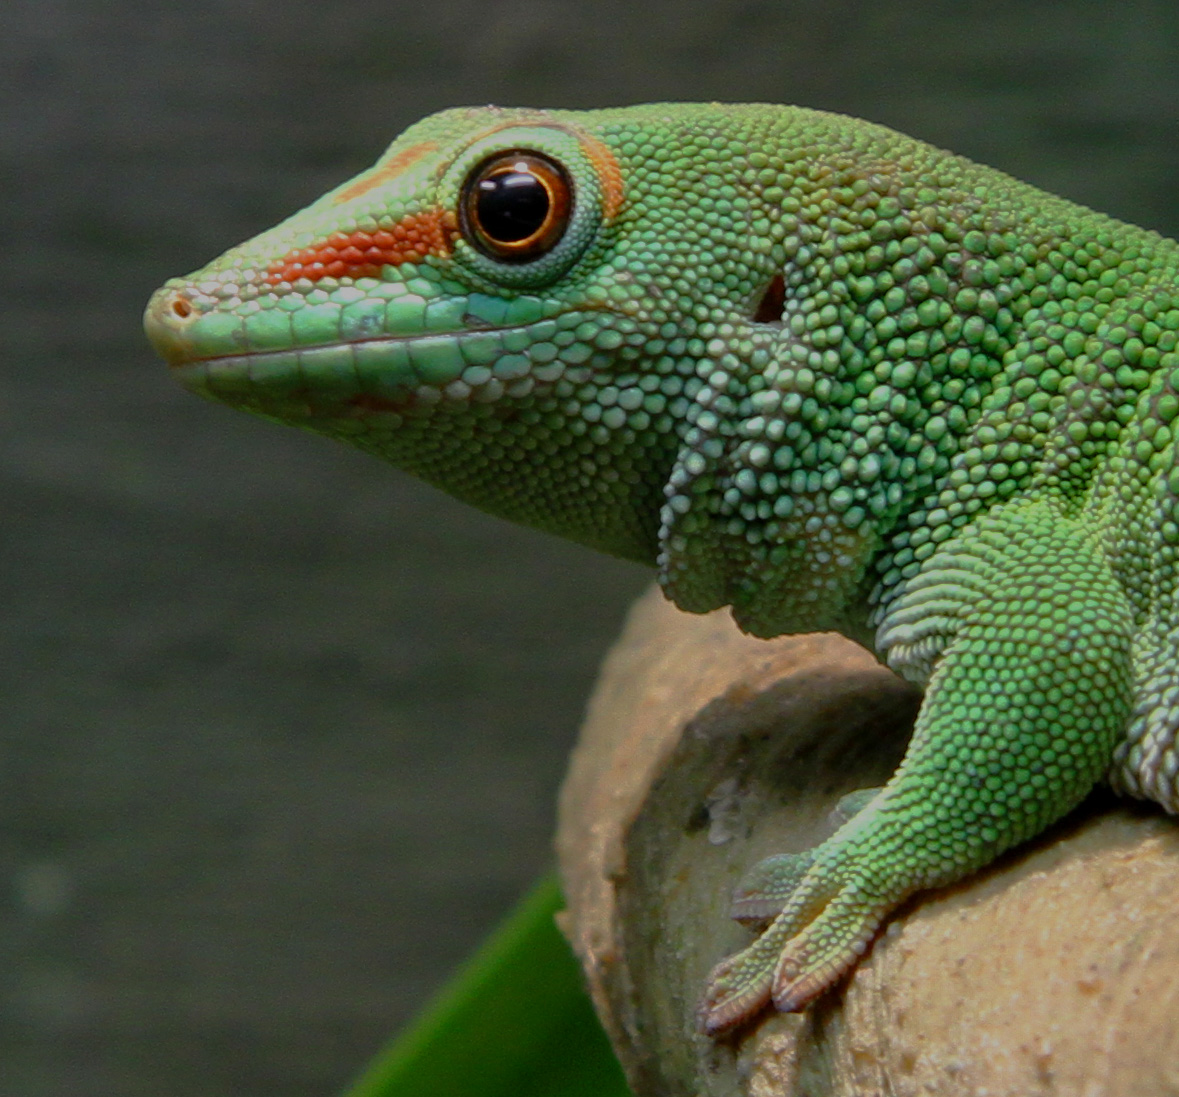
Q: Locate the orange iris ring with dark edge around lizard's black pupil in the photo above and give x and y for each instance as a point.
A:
(558, 188)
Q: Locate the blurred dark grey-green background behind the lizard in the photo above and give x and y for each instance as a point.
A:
(282, 730)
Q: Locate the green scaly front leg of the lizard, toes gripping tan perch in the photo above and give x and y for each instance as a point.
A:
(1030, 694)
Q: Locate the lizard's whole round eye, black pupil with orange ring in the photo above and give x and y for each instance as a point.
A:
(516, 207)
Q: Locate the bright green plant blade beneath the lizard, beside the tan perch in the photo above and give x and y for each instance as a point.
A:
(516, 1022)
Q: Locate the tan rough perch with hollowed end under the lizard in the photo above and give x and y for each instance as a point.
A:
(1055, 973)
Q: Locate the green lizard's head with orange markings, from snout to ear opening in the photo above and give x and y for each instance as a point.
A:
(512, 305)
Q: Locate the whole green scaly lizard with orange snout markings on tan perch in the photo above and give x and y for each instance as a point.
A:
(812, 370)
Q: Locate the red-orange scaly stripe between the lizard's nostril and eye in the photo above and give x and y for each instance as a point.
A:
(359, 255)
